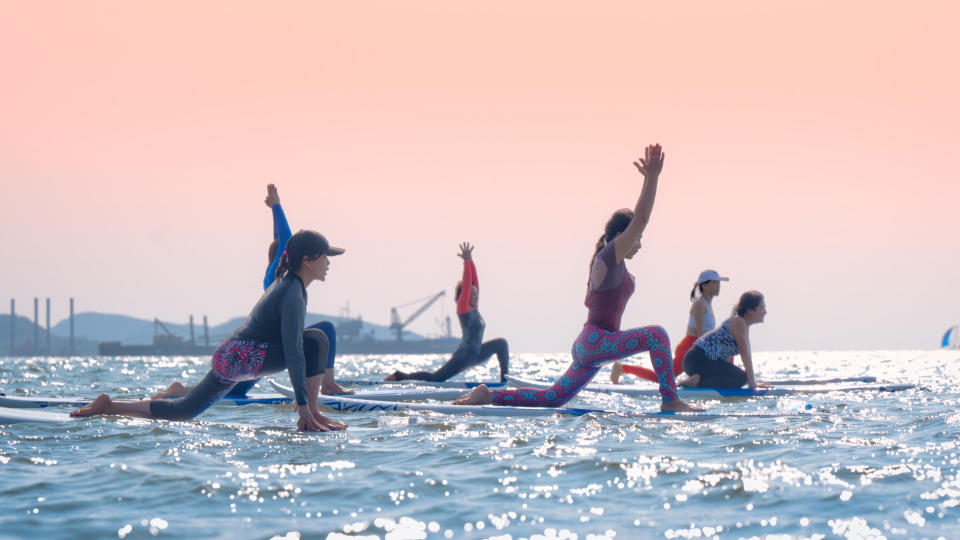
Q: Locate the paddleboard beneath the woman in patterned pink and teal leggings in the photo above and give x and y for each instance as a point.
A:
(344, 404)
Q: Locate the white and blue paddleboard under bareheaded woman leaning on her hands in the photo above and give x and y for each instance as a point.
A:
(707, 393)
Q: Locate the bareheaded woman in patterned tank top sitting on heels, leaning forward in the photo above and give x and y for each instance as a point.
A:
(706, 362)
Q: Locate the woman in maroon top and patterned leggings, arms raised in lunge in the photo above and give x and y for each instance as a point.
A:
(609, 286)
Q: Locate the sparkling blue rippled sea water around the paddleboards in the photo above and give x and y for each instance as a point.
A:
(862, 465)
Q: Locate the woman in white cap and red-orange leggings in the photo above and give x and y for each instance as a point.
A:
(702, 321)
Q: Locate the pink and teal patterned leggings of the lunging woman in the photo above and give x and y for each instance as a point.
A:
(593, 348)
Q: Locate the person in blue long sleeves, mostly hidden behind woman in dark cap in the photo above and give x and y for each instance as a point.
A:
(281, 234)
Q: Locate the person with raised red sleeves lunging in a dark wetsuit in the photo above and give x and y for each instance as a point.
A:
(472, 350)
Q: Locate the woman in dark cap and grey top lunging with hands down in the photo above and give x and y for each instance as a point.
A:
(270, 340)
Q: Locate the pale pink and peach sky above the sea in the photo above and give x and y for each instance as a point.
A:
(810, 155)
